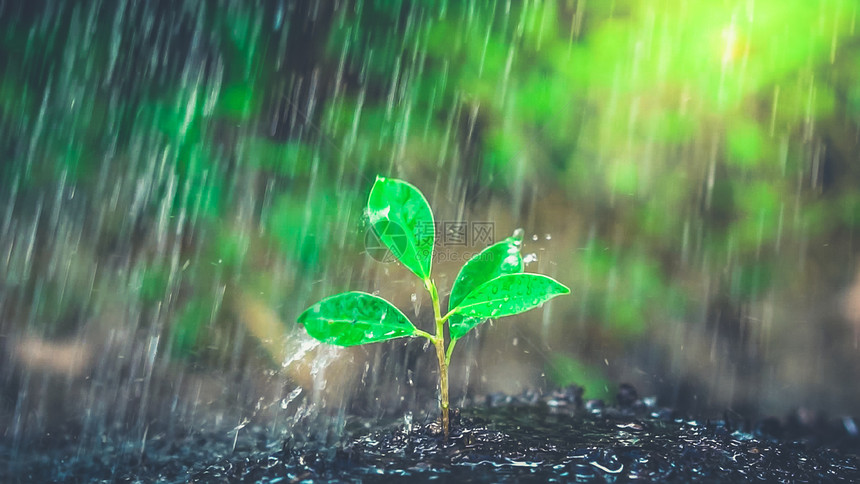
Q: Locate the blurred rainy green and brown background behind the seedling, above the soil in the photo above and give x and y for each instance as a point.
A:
(179, 180)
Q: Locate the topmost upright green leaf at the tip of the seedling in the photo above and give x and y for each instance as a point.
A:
(401, 218)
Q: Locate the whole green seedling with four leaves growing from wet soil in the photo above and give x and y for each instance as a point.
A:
(491, 284)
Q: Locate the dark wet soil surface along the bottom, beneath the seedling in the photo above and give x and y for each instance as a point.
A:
(549, 438)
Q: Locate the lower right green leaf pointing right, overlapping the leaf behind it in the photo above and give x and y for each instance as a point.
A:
(503, 296)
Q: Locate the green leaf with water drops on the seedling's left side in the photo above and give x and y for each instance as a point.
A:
(355, 318)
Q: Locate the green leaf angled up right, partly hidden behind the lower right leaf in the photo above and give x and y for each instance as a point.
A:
(500, 258)
